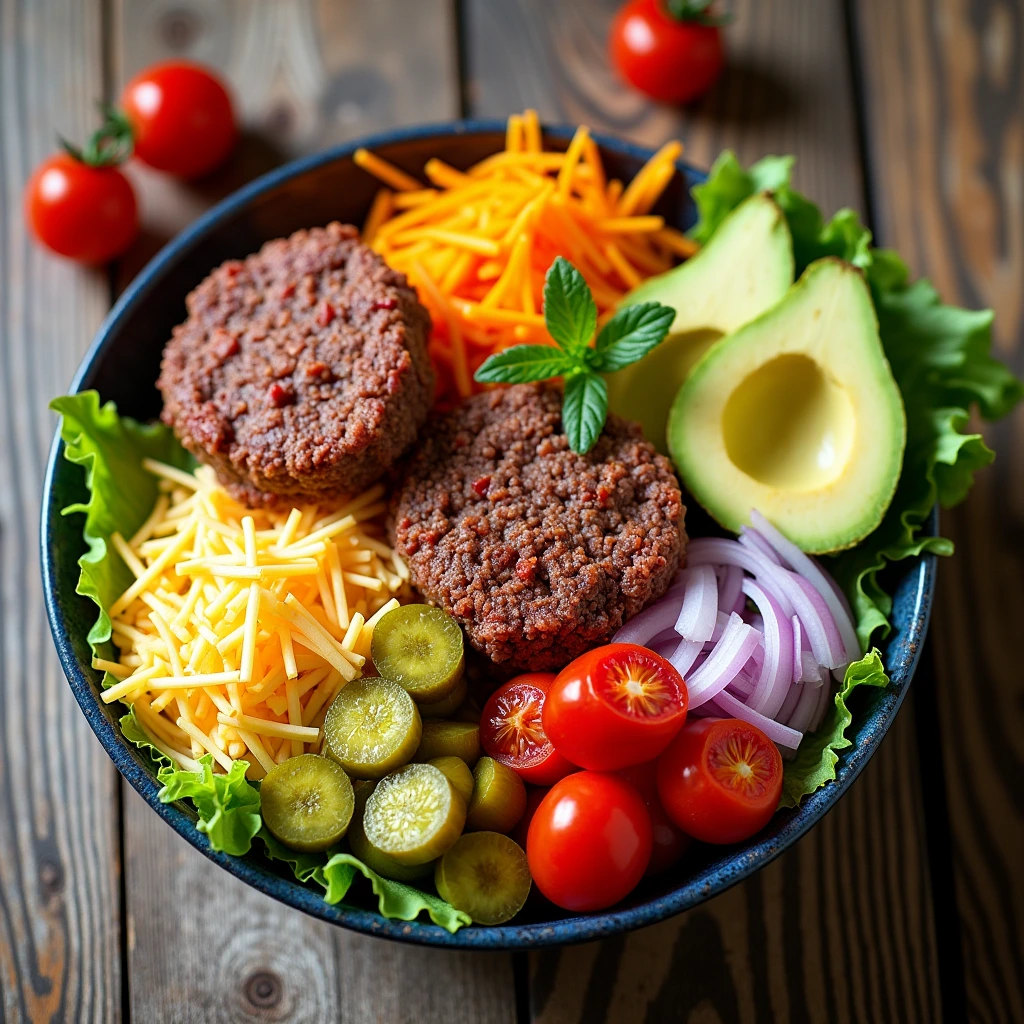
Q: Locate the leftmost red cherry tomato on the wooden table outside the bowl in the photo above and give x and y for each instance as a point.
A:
(83, 212)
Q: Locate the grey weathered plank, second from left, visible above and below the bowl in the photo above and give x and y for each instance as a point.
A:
(205, 948)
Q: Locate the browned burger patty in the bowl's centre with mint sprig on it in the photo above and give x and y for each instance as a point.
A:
(540, 553)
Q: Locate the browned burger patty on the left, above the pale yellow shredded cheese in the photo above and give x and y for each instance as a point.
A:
(302, 371)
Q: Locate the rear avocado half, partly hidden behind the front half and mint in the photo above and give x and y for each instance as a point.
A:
(745, 270)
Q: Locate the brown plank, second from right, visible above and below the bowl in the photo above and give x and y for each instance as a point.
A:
(841, 927)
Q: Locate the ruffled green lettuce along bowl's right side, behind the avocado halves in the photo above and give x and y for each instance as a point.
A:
(942, 360)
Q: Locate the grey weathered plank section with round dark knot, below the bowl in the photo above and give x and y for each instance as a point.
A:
(204, 949)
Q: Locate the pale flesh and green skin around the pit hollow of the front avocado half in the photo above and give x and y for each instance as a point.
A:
(827, 317)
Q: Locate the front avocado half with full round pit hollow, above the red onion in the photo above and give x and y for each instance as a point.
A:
(797, 415)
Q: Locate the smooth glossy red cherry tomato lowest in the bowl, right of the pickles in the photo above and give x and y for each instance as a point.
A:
(590, 841)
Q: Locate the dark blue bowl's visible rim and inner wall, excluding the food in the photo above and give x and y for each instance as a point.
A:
(124, 365)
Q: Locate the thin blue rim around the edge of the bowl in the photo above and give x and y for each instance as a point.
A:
(582, 928)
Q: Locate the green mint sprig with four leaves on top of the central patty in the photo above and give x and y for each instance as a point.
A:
(571, 316)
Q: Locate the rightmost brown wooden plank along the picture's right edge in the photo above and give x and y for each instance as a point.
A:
(946, 115)
